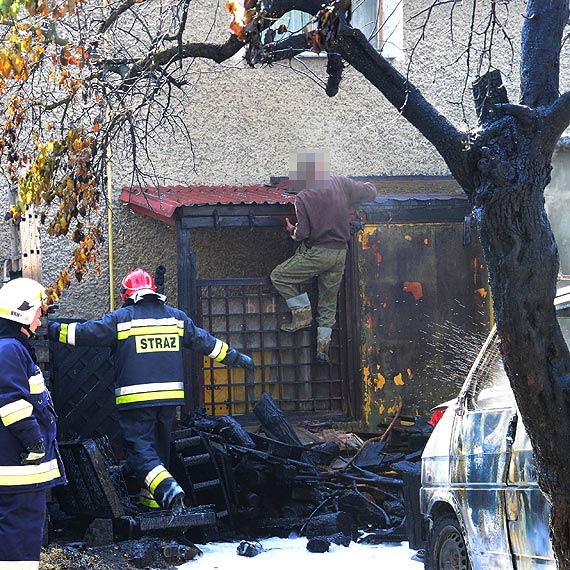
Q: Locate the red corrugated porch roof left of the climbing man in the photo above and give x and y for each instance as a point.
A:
(160, 202)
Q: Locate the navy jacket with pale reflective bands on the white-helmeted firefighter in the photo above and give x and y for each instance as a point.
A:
(26, 415)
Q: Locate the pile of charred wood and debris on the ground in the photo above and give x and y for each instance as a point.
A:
(244, 485)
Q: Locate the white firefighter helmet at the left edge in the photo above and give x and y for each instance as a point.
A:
(20, 299)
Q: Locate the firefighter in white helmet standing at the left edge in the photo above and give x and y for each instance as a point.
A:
(29, 459)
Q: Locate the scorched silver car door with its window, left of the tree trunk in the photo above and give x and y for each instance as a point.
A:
(481, 444)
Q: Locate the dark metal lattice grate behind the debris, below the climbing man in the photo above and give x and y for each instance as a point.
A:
(247, 313)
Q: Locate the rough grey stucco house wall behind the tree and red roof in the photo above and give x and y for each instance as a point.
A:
(243, 123)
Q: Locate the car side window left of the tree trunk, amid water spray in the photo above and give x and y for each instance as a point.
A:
(490, 386)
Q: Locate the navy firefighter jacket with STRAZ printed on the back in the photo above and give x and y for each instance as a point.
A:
(147, 339)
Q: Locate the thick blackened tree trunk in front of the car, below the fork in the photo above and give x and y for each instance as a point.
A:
(523, 263)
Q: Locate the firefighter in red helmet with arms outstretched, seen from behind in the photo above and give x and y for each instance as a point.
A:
(146, 337)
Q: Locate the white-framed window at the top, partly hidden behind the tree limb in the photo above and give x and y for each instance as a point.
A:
(381, 21)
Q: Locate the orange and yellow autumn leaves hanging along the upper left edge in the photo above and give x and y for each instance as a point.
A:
(53, 168)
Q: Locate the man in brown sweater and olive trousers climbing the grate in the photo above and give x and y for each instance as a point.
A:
(322, 207)
